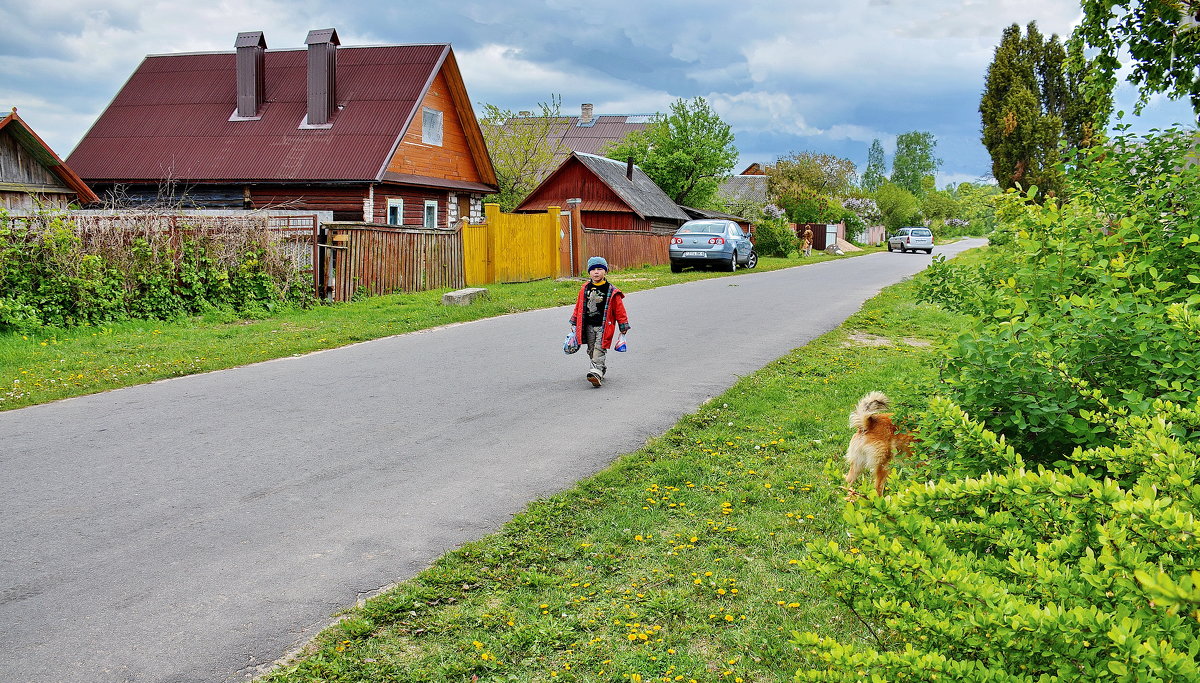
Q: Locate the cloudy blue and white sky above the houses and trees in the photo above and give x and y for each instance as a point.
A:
(788, 75)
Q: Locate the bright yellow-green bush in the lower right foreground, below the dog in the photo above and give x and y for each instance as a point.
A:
(1028, 576)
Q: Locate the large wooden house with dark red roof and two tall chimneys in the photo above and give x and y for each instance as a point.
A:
(382, 134)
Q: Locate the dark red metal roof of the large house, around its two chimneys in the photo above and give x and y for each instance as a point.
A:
(172, 119)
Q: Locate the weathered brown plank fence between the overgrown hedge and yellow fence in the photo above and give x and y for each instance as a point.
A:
(383, 260)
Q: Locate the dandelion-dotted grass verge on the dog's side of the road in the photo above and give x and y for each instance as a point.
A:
(676, 564)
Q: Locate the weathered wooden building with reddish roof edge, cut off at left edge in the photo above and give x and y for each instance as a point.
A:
(32, 176)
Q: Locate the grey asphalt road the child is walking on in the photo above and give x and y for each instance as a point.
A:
(200, 529)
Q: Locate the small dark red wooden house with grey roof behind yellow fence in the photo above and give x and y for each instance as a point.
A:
(614, 196)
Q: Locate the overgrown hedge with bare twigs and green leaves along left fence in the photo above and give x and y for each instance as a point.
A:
(56, 273)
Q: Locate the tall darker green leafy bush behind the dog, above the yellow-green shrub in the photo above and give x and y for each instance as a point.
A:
(1088, 286)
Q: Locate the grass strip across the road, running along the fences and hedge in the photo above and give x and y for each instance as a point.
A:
(59, 364)
